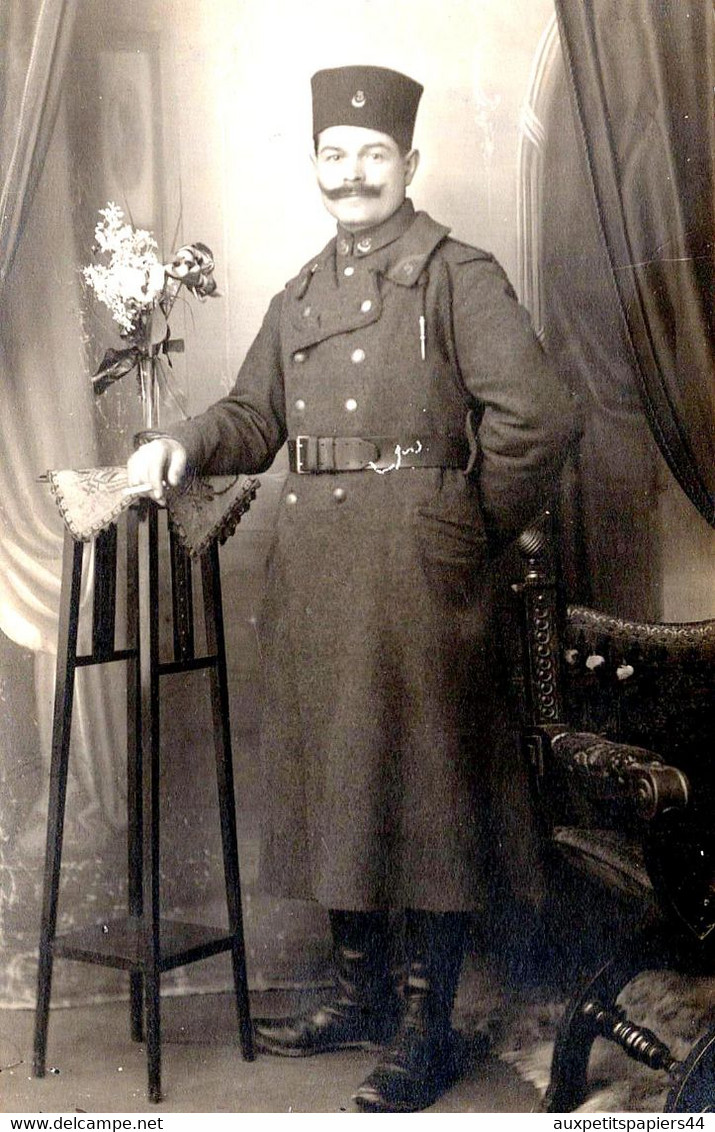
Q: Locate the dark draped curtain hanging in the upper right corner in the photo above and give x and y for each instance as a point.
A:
(641, 80)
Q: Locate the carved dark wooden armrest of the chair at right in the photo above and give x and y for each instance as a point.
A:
(619, 773)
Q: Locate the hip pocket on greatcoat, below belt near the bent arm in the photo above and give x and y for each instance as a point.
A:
(452, 544)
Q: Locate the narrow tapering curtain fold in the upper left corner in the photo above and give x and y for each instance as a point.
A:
(35, 45)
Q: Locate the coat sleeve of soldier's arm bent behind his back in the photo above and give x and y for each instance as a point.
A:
(528, 417)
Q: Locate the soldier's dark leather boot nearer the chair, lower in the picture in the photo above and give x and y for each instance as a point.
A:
(420, 1064)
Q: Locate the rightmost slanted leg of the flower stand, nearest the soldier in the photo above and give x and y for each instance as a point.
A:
(213, 610)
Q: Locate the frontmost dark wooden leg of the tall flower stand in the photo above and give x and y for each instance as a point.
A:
(150, 748)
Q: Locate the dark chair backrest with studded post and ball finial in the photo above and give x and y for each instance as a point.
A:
(643, 685)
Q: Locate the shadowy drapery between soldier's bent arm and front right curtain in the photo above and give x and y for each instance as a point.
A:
(610, 533)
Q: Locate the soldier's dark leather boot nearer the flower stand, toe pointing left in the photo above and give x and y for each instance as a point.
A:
(365, 1009)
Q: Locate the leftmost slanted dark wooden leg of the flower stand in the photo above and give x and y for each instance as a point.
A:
(62, 728)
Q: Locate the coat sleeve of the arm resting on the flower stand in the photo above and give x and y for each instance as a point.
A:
(244, 432)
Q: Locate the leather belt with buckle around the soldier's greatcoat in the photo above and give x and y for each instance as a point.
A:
(317, 454)
